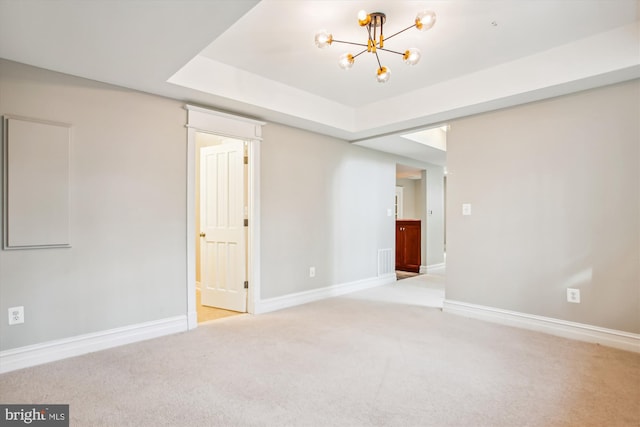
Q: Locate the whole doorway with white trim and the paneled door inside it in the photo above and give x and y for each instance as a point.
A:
(223, 232)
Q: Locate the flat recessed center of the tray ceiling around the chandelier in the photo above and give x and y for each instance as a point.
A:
(276, 40)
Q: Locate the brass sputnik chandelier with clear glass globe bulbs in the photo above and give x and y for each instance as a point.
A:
(374, 22)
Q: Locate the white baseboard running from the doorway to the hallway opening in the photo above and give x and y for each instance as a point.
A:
(299, 298)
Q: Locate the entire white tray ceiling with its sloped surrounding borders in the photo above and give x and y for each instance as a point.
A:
(258, 58)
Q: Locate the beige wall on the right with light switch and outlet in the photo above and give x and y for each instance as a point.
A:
(555, 194)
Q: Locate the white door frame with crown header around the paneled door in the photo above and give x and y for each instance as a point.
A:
(215, 122)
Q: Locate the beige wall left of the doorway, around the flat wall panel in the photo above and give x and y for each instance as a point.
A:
(127, 262)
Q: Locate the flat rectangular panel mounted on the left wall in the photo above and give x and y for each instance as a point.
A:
(35, 183)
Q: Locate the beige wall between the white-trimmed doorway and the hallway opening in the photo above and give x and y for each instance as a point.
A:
(324, 204)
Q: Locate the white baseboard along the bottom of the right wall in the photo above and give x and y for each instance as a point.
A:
(578, 331)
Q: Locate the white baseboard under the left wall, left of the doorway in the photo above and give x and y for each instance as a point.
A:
(37, 354)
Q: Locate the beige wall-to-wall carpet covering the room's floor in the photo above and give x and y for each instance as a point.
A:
(348, 361)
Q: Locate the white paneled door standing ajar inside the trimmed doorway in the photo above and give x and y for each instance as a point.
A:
(222, 231)
